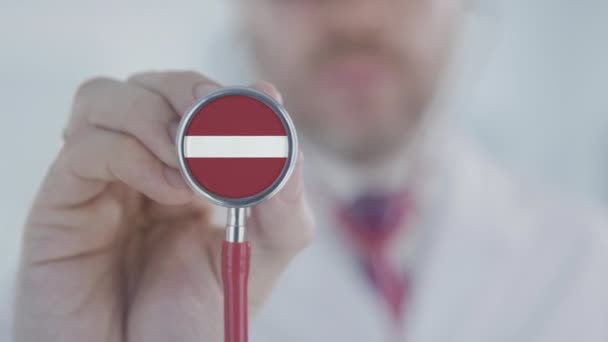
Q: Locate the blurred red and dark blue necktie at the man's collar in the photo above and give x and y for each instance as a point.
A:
(369, 222)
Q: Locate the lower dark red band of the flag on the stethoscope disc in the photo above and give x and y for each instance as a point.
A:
(235, 177)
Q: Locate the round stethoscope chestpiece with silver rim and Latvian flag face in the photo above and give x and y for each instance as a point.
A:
(236, 147)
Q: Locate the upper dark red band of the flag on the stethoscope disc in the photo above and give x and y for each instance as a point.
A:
(236, 115)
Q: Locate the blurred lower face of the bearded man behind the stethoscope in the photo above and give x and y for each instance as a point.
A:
(355, 74)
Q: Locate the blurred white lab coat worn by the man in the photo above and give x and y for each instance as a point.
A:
(495, 261)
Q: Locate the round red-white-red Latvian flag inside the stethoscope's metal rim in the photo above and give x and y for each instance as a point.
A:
(235, 146)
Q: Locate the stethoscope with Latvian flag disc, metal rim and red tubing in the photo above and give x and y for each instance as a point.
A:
(236, 147)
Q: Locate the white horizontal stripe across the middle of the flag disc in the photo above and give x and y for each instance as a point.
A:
(235, 146)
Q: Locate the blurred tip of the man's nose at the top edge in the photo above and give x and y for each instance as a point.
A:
(356, 17)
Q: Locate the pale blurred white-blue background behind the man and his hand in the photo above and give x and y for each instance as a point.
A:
(539, 102)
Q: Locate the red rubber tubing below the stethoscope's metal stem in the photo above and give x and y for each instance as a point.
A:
(236, 258)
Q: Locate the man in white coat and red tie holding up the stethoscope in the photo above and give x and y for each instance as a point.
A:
(419, 238)
